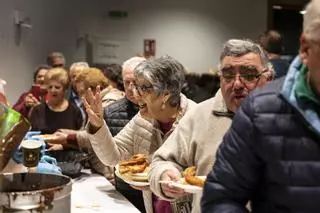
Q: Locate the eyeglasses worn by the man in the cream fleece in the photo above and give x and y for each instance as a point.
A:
(247, 74)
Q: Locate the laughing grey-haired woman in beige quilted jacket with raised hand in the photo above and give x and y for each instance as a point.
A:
(158, 86)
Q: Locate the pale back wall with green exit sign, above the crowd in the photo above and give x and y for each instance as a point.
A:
(191, 31)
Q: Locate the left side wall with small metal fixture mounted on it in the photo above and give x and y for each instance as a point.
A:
(17, 62)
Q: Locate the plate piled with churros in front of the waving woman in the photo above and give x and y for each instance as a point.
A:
(134, 171)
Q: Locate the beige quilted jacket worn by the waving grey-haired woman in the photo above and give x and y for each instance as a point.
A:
(138, 136)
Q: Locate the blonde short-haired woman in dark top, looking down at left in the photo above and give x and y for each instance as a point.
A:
(56, 112)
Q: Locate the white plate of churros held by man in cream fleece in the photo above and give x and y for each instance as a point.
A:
(190, 183)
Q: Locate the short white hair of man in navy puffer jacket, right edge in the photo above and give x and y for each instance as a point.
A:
(311, 20)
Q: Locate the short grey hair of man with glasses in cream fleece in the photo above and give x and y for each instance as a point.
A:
(240, 47)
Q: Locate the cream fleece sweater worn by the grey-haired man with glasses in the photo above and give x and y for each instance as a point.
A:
(193, 143)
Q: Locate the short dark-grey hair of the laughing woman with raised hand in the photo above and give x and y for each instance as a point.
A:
(165, 74)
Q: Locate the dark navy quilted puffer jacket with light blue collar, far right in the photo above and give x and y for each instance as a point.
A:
(270, 155)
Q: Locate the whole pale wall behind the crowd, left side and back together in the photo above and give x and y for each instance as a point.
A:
(191, 31)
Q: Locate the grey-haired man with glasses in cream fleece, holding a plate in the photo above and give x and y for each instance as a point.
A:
(243, 67)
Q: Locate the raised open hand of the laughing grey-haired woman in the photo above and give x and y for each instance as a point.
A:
(93, 104)
